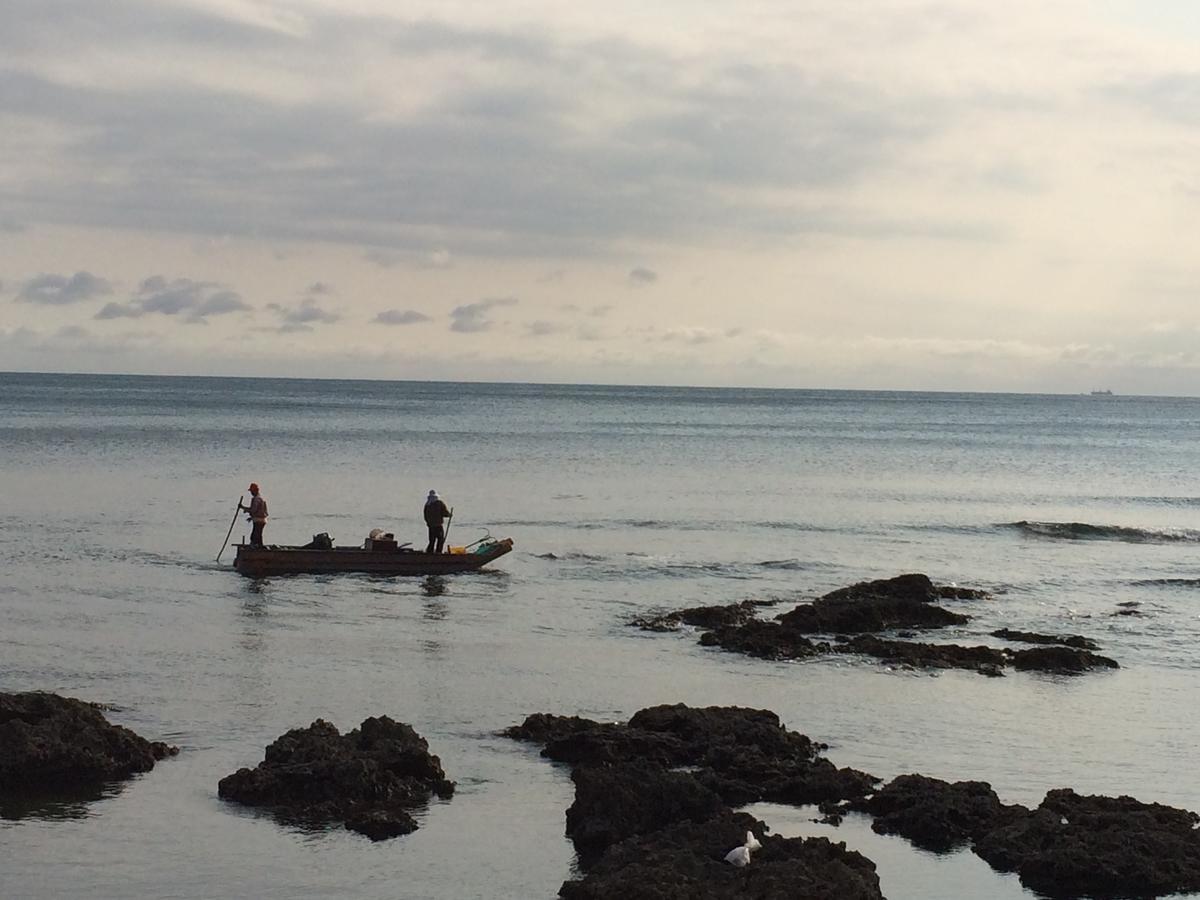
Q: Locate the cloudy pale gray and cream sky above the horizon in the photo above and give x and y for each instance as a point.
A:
(913, 195)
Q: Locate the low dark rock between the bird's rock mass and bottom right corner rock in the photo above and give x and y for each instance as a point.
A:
(937, 815)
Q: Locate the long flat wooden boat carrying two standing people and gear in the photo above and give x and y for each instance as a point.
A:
(262, 562)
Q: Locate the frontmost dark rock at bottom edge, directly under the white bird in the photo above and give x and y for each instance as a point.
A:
(686, 862)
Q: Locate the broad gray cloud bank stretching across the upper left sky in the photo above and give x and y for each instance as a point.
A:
(506, 160)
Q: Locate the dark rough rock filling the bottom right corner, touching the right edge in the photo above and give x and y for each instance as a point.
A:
(1099, 847)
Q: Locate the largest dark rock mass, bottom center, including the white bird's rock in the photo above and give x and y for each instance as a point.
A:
(653, 817)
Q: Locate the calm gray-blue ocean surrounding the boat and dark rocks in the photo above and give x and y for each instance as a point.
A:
(117, 493)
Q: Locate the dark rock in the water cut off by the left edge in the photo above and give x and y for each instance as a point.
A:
(50, 742)
